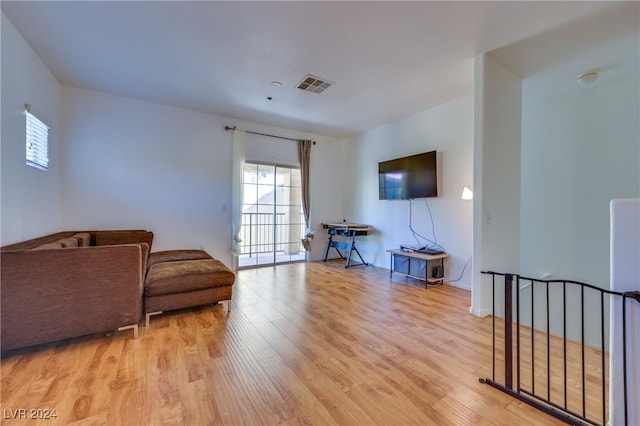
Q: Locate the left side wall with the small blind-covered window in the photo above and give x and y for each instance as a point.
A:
(30, 200)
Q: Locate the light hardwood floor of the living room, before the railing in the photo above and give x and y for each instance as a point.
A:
(307, 343)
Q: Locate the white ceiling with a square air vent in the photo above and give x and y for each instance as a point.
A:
(387, 59)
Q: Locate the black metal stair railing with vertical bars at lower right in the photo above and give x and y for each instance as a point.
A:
(554, 339)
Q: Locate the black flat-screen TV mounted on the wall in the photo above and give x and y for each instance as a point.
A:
(415, 176)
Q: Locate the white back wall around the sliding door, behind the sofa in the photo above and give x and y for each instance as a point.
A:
(134, 164)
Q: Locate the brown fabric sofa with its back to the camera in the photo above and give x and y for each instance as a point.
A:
(71, 284)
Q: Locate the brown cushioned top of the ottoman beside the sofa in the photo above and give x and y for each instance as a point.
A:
(186, 275)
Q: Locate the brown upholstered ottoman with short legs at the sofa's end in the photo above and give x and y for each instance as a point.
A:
(179, 279)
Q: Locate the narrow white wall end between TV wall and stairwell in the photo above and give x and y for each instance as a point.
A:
(496, 178)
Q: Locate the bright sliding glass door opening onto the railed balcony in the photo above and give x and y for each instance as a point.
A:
(272, 217)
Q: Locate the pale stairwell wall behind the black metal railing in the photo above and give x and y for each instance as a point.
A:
(580, 150)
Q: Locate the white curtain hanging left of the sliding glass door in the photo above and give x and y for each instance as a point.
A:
(239, 142)
